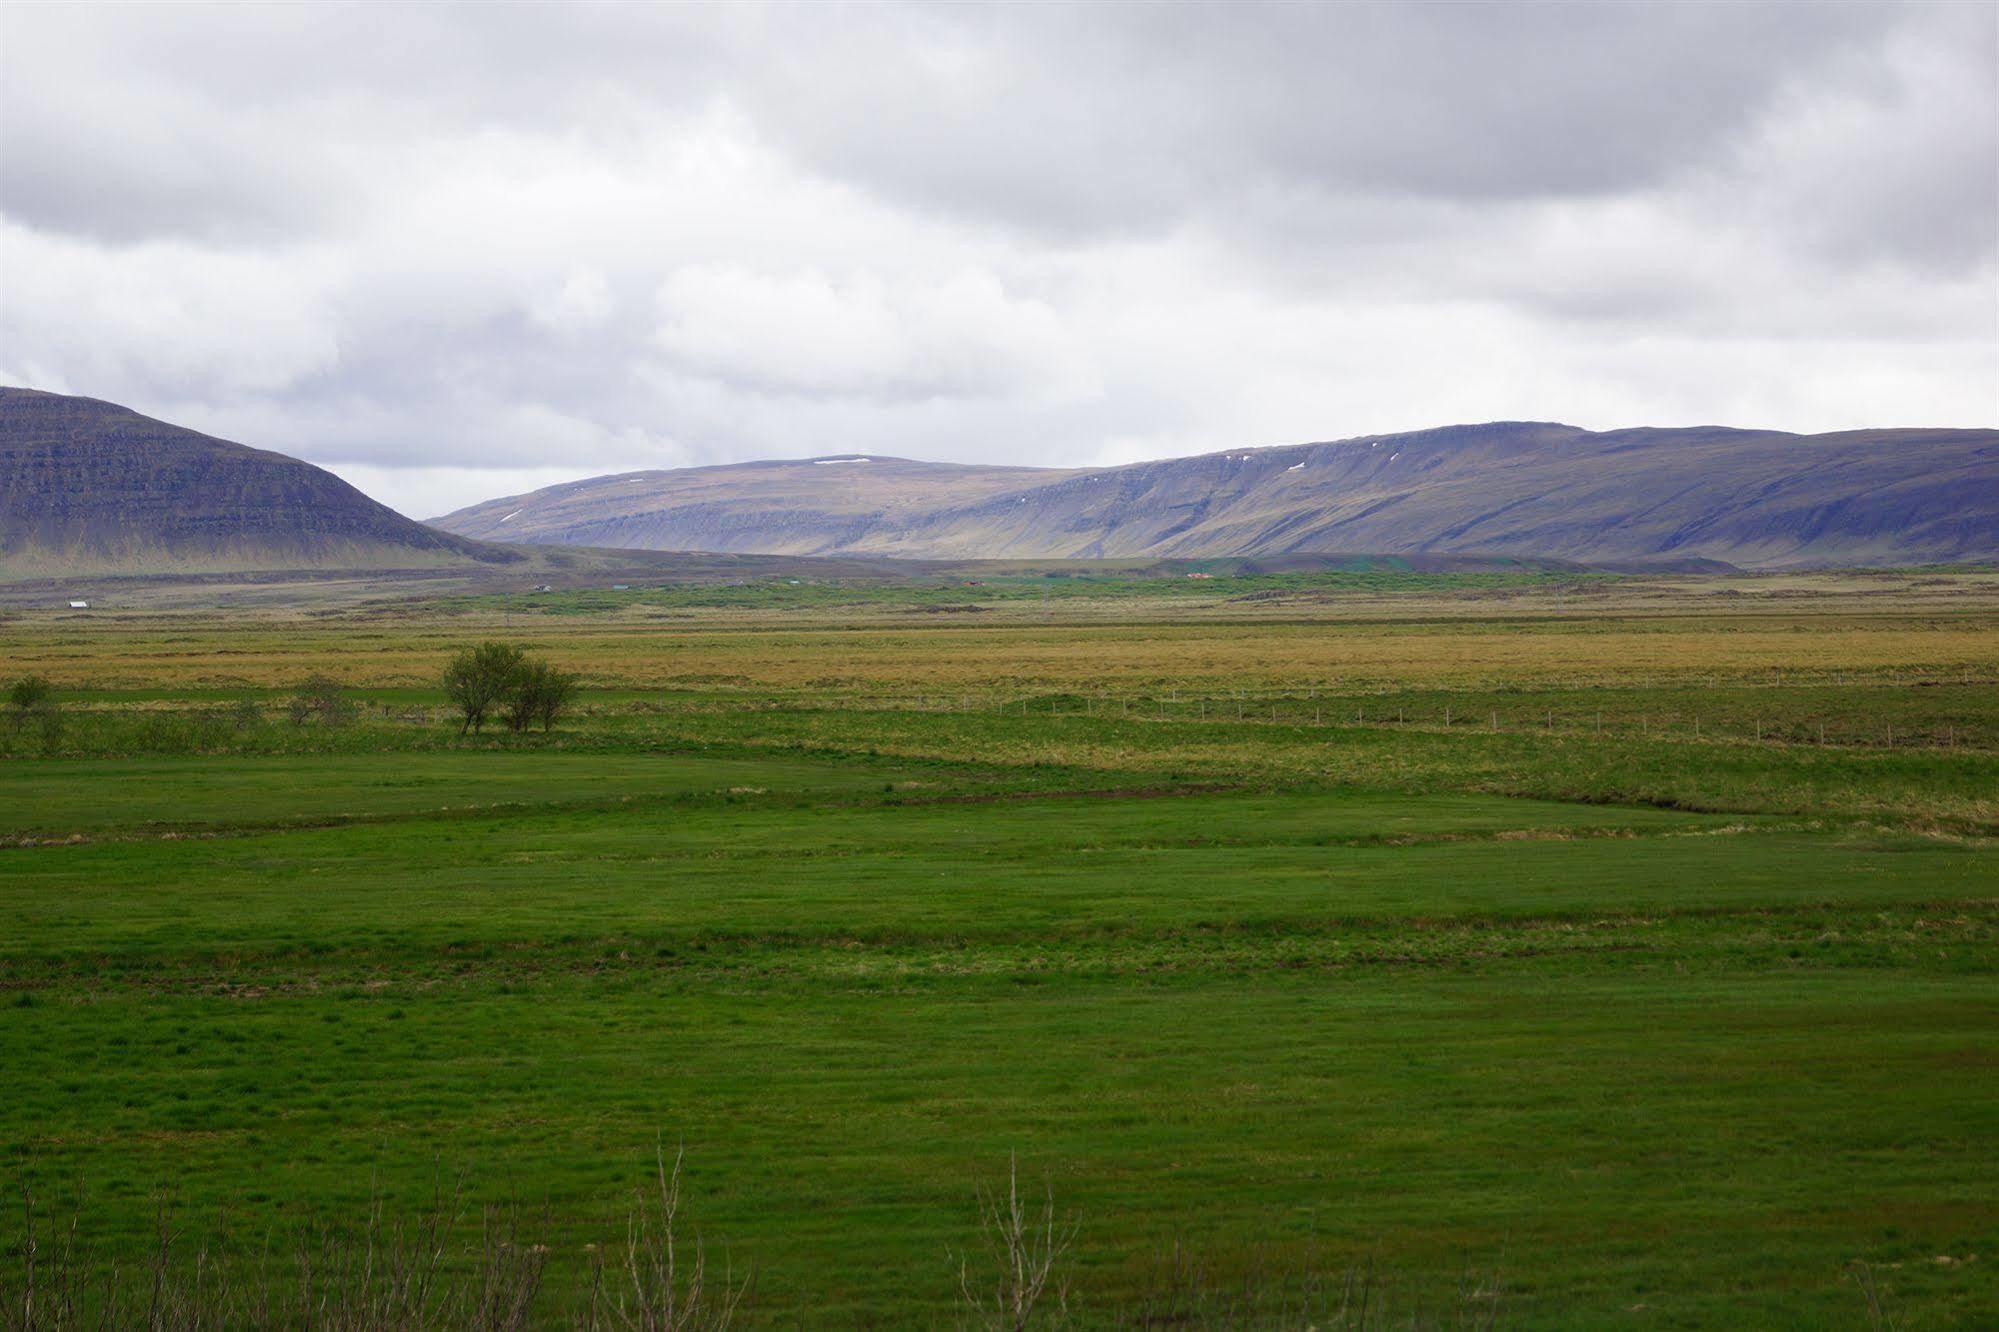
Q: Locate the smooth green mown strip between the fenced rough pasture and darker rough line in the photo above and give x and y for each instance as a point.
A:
(865, 879)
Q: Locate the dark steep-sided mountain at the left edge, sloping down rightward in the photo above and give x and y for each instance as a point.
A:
(93, 487)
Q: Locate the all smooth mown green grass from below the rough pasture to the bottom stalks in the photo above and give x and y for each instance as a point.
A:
(1628, 1055)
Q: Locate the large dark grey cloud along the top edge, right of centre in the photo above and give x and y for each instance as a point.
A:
(1128, 115)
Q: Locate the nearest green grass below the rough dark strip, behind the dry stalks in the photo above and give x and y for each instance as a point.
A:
(1716, 1151)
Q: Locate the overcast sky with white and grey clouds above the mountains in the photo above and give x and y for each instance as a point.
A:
(457, 253)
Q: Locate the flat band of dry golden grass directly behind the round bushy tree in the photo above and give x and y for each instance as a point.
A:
(1194, 657)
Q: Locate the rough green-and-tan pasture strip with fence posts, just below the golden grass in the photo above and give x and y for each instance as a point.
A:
(1904, 755)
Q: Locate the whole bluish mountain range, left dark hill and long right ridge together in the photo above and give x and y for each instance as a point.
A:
(93, 487)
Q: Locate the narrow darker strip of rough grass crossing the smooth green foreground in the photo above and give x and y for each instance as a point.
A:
(1946, 937)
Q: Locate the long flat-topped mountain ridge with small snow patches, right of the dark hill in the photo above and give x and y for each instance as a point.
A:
(1758, 499)
